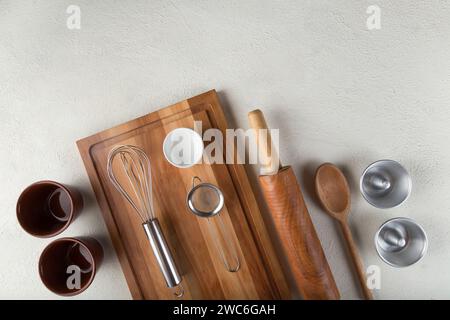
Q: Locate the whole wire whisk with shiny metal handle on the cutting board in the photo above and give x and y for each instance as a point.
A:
(136, 166)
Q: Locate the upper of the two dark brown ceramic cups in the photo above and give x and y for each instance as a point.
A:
(46, 208)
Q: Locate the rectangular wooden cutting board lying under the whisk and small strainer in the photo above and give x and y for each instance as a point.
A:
(188, 236)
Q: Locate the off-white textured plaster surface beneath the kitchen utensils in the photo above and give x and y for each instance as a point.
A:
(339, 92)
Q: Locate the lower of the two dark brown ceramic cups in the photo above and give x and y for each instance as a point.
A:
(67, 266)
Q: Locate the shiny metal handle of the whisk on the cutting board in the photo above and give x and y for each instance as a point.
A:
(162, 253)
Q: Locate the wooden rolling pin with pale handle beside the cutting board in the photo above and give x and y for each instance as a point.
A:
(292, 221)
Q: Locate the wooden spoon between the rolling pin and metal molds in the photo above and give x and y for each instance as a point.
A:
(334, 194)
